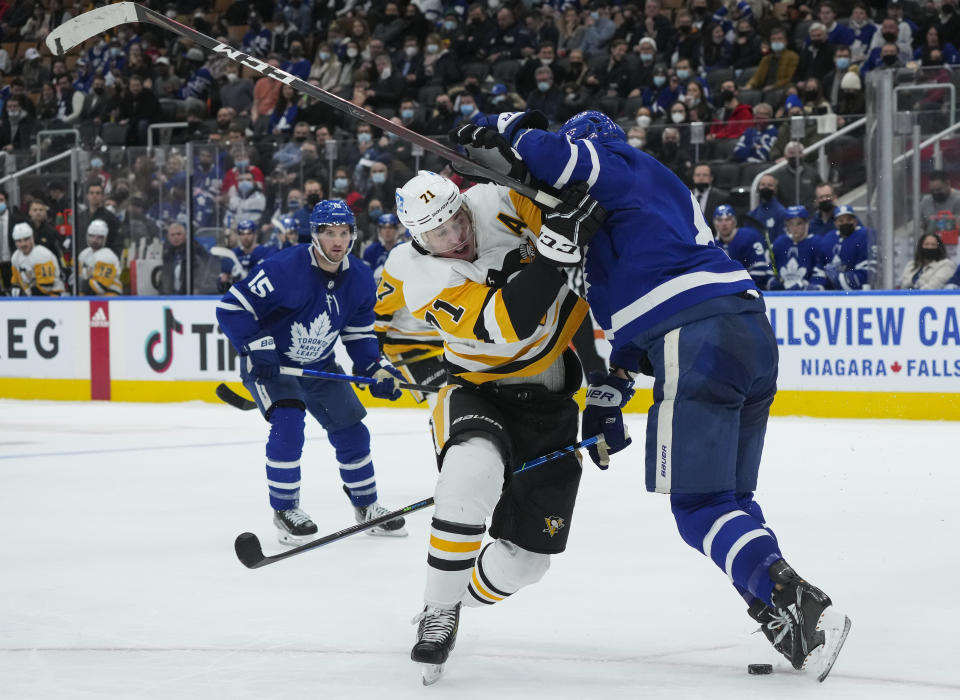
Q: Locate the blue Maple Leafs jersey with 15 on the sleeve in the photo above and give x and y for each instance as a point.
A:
(304, 308)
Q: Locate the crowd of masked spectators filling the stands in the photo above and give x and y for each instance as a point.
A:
(262, 151)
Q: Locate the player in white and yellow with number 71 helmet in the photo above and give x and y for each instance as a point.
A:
(481, 270)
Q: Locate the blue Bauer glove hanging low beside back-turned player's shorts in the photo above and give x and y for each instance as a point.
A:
(606, 397)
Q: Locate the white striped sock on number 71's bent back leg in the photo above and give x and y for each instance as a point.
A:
(501, 570)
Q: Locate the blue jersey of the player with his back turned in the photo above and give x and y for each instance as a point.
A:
(655, 254)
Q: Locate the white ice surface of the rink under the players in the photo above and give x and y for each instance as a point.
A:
(119, 578)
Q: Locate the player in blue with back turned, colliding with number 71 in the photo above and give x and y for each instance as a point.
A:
(671, 302)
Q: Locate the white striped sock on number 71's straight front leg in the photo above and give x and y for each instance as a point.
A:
(467, 491)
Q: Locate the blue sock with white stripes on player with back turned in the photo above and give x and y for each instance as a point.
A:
(730, 531)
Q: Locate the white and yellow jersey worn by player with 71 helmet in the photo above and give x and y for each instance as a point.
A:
(464, 301)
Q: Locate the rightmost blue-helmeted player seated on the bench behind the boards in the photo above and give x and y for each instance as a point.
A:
(846, 257)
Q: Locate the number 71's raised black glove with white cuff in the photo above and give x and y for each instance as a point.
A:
(568, 228)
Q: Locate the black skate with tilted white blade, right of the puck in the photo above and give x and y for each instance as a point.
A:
(805, 625)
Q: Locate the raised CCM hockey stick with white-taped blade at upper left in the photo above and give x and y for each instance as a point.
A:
(104, 19)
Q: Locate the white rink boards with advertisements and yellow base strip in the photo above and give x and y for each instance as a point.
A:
(865, 354)
